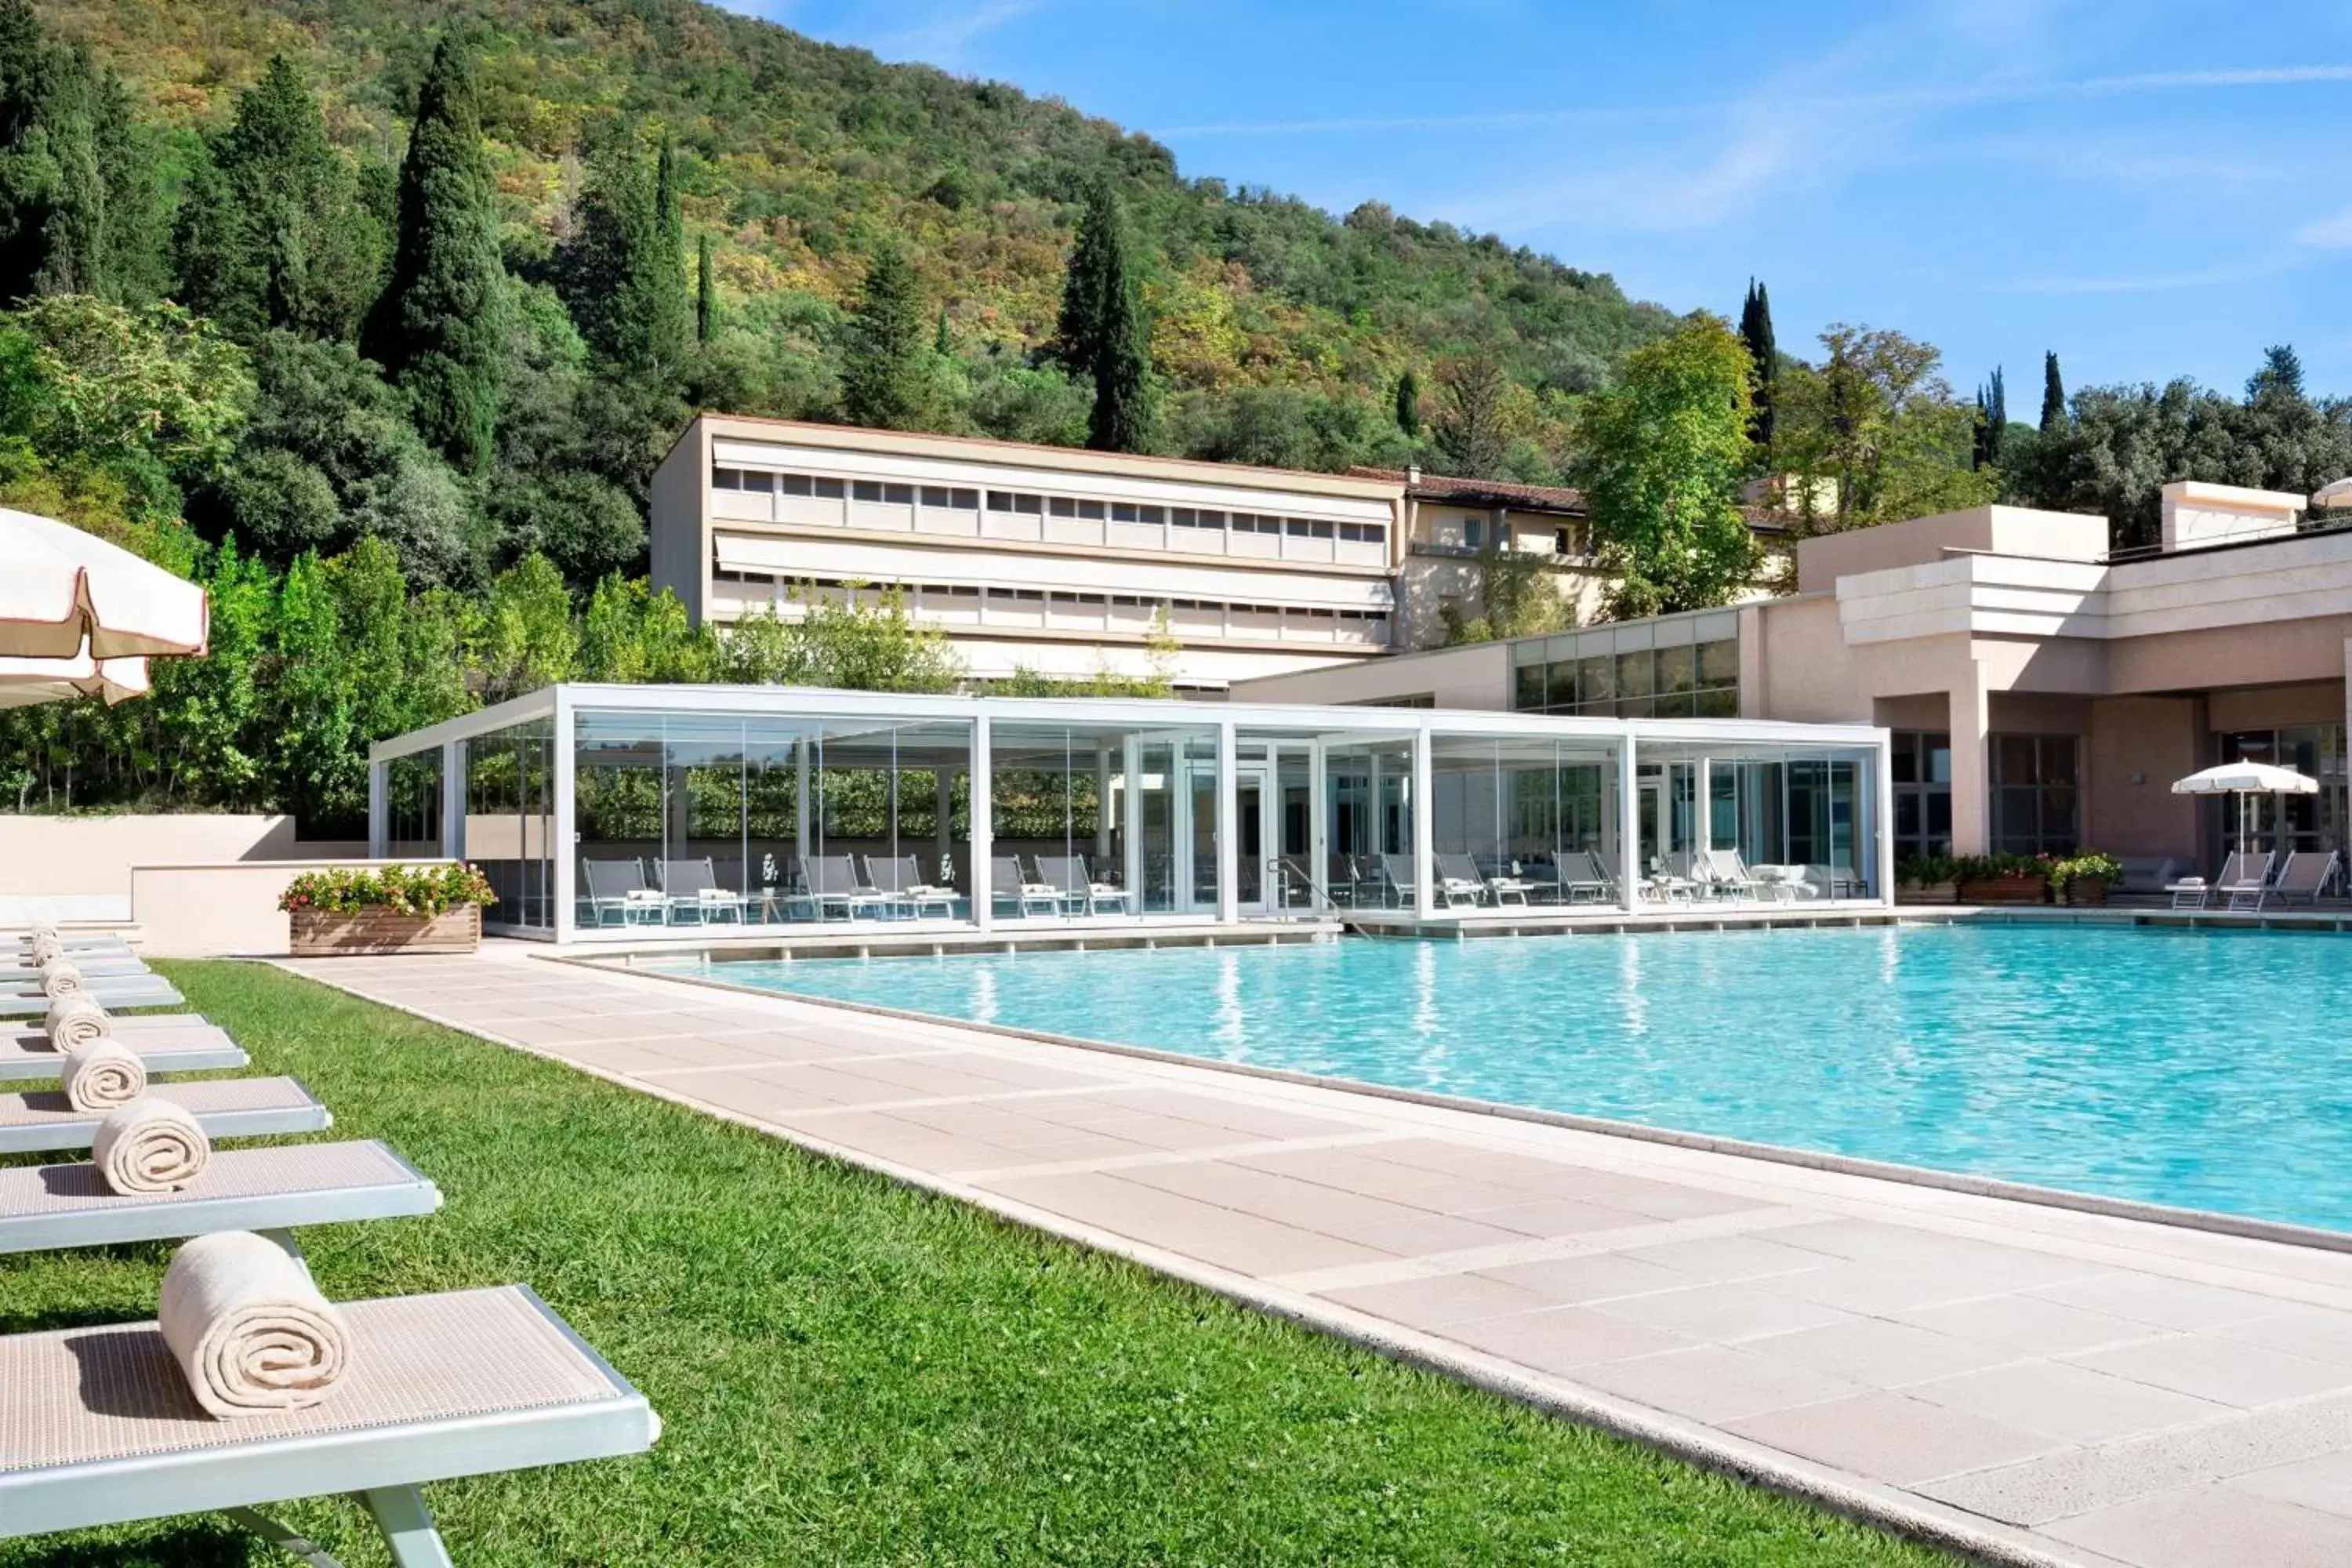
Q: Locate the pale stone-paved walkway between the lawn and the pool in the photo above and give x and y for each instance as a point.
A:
(2038, 1386)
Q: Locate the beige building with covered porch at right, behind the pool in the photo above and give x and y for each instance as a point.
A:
(2043, 692)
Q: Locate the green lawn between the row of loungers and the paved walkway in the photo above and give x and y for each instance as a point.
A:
(860, 1374)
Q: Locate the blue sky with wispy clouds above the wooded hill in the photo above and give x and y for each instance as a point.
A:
(2149, 189)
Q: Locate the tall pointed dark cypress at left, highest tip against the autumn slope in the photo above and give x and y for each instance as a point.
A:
(441, 321)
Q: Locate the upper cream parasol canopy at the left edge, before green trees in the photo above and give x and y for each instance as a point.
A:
(69, 596)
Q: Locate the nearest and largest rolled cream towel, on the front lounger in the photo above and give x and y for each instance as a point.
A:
(250, 1329)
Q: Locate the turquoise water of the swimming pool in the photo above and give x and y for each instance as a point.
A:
(2196, 1068)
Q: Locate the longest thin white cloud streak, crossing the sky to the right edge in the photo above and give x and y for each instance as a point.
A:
(1960, 95)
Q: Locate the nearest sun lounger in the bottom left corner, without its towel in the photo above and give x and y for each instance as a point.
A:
(98, 1423)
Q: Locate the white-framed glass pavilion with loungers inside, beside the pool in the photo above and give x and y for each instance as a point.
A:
(716, 815)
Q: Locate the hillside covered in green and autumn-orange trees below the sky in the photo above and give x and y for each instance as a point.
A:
(801, 156)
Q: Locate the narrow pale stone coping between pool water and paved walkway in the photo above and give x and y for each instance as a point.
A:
(2207, 1221)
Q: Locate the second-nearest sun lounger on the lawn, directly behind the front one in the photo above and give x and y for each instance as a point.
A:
(269, 1191)
